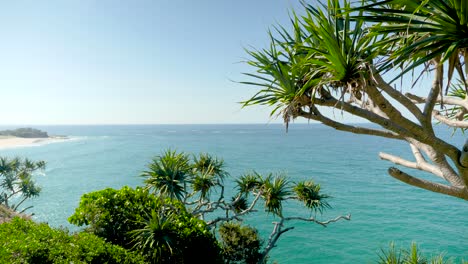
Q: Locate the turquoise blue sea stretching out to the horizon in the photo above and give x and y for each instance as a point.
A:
(346, 165)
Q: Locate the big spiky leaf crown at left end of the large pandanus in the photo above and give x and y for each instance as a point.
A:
(327, 50)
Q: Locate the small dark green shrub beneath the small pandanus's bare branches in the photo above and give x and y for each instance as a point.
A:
(240, 244)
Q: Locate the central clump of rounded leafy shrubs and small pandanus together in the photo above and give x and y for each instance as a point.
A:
(174, 217)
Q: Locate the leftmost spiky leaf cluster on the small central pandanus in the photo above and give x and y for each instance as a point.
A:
(167, 174)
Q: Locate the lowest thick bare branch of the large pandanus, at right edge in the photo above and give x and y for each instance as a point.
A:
(460, 192)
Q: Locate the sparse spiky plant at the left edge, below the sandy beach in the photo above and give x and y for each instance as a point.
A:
(16, 181)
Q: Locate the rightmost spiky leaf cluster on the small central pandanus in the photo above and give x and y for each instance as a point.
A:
(309, 193)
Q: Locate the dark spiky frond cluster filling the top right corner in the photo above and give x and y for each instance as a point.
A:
(422, 31)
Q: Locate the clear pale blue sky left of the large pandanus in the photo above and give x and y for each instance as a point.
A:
(131, 62)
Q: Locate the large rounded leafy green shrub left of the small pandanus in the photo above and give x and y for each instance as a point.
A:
(161, 229)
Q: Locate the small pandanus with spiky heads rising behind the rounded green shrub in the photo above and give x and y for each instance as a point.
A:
(202, 190)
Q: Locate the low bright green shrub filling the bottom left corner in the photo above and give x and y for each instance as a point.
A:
(24, 241)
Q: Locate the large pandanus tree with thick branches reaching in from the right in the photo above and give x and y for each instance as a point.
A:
(350, 58)
